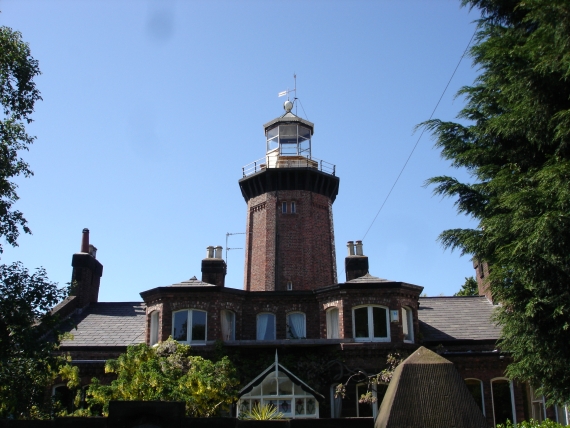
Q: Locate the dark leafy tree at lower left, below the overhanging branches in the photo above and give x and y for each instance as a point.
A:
(27, 363)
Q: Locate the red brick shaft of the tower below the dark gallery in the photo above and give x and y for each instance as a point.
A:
(296, 248)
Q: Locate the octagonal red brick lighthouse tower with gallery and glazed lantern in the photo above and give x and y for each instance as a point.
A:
(289, 195)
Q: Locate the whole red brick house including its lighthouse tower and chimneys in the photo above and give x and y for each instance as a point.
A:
(293, 304)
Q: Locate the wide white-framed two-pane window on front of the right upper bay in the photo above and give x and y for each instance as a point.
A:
(370, 323)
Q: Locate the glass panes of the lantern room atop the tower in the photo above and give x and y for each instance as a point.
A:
(289, 139)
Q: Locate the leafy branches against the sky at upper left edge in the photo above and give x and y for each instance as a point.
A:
(18, 95)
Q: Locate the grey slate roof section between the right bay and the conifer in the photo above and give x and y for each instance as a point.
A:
(457, 318)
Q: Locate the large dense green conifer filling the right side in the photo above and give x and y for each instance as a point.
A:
(516, 146)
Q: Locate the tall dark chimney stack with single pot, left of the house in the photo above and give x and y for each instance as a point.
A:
(86, 273)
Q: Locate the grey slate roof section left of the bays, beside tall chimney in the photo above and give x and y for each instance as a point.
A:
(107, 324)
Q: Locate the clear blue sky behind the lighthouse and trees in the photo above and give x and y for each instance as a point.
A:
(151, 108)
